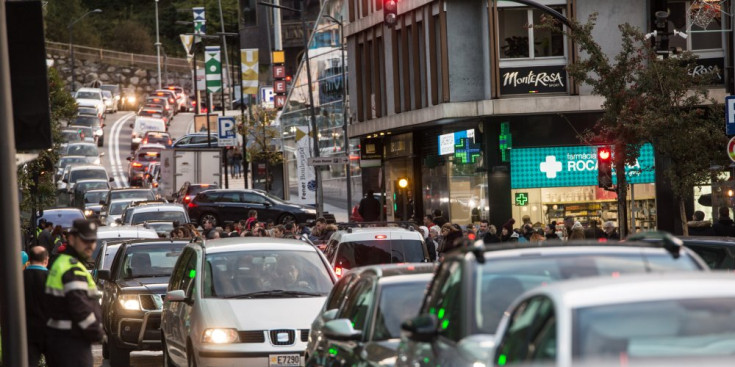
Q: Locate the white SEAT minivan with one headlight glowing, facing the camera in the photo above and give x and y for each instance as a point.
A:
(246, 301)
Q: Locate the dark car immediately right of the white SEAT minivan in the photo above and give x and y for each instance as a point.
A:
(365, 314)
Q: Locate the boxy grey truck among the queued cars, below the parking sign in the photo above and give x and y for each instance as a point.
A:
(180, 165)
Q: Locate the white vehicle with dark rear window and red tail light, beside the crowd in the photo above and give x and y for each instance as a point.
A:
(355, 247)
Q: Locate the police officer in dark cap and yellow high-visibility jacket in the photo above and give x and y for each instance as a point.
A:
(73, 302)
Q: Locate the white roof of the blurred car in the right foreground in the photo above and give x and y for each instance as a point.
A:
(598, 291)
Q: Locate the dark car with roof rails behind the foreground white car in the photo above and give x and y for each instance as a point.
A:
(474, 286)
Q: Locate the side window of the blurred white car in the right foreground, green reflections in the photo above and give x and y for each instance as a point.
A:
(531, 334)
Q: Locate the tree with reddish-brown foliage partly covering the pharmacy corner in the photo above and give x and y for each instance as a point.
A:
(649, 99)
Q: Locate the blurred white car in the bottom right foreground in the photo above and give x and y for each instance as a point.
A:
(681, 318)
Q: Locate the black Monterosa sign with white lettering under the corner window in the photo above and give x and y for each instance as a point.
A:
(536, 79)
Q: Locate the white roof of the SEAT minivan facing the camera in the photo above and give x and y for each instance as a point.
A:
(256, 244)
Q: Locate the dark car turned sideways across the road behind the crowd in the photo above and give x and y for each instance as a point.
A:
(221, 206)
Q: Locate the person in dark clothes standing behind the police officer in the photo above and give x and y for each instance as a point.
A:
(34, 284)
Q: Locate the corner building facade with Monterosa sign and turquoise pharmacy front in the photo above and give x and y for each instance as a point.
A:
(475, 106)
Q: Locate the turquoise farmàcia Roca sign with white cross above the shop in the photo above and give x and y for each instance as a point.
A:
(570, 166)
